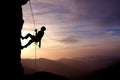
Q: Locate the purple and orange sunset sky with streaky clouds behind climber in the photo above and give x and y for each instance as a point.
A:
(75, 28)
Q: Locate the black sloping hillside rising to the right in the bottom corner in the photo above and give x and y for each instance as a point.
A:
(109, 73)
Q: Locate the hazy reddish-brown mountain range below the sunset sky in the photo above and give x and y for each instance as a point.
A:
(74, 69)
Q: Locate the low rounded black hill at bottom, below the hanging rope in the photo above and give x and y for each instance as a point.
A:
(44, 76)
